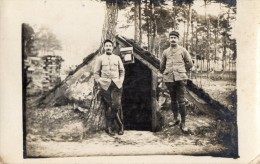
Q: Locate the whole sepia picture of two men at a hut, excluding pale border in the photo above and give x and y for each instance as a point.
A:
(122, 77)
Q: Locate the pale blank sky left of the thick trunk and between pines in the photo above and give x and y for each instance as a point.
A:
(78, 23)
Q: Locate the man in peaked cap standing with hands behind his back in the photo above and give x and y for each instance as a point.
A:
(175, 62)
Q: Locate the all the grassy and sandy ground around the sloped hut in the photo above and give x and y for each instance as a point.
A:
(59, 131)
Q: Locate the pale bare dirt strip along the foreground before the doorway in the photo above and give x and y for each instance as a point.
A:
(131, 143)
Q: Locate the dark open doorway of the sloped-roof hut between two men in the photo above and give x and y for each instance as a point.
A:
(136, 99)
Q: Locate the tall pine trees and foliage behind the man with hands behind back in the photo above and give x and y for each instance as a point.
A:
(205, 36)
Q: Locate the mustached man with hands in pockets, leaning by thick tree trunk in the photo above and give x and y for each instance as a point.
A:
(109, 73)
